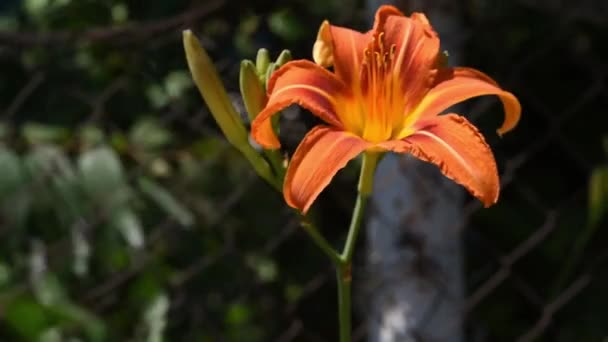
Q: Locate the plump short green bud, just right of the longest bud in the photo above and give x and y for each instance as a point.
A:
(252, 89)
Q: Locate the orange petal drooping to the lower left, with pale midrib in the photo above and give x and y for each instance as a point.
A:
(322, 152)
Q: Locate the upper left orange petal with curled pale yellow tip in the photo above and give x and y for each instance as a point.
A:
(342, 48)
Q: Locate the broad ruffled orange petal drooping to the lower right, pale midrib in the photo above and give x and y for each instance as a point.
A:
(456, 146)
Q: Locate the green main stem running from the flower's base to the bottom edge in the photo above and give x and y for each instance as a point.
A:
(344, 267)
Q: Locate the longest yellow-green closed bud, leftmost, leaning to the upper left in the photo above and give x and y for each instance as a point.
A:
(210, 86)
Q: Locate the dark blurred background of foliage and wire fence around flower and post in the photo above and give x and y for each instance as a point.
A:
(125, 215)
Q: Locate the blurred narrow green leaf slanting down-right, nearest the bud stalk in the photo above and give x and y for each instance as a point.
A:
(165, 200)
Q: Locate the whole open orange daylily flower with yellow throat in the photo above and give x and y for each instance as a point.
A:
(386, 91)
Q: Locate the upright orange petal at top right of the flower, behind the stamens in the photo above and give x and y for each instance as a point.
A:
(415, 56)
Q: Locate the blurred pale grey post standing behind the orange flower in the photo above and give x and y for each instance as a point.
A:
(413, 281)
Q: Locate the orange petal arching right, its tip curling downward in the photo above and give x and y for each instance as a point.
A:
(460, 84)
